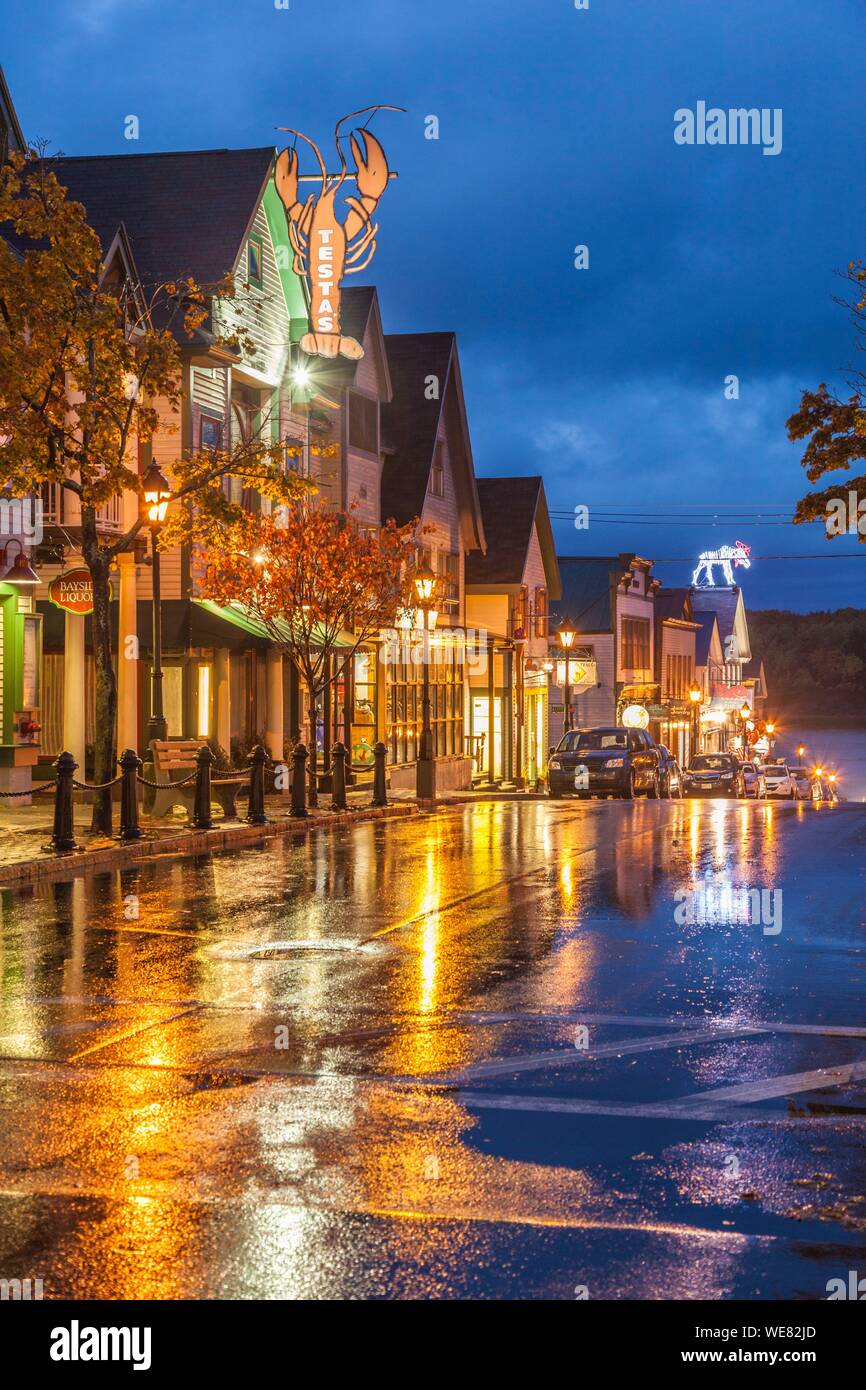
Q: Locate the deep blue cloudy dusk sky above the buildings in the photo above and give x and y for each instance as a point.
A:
(557, 129)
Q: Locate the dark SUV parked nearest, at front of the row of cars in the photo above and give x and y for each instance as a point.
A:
(605, 762)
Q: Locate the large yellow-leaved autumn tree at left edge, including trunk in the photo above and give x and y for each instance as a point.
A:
(90, 370)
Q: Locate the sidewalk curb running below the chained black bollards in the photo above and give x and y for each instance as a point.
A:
(190, 843)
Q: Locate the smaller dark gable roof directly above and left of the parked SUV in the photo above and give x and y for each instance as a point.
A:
(512, 508)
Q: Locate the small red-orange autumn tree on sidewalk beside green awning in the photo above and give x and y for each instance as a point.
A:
(319, 583)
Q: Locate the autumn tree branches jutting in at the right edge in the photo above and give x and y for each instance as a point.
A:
(836, 429)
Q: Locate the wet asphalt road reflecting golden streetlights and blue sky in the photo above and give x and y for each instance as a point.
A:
(473, 1054)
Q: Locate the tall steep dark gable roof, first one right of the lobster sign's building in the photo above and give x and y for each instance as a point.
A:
(411, 425)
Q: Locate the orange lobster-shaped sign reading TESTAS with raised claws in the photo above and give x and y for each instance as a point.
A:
(325, 248)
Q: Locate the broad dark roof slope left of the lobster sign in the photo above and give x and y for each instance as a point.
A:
(186, 212)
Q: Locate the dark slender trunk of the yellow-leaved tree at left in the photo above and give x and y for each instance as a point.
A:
(105, 736)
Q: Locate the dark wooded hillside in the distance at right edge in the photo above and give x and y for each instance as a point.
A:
(815, 662)
